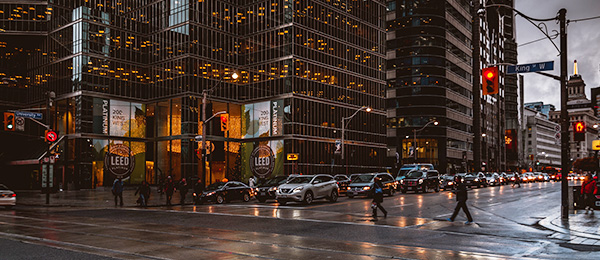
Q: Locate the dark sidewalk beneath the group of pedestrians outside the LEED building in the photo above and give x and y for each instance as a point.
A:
(99, 197)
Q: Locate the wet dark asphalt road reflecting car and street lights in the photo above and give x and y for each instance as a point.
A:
(506, 228)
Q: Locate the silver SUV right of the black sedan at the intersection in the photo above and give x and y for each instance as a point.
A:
(306, 188)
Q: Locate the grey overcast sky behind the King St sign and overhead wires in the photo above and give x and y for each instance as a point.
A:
(583, 43)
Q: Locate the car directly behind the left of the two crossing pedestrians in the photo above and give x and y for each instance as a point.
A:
(362, 184)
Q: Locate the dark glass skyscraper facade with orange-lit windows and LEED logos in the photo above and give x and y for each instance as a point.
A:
(129, 77)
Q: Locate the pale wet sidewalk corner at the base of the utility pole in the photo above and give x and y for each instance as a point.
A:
(580, 229)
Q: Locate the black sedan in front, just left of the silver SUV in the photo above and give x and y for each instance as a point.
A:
(221, 192)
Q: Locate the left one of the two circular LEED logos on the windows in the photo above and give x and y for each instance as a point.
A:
(119, 161)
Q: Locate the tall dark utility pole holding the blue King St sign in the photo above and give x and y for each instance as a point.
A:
(564, 115)
